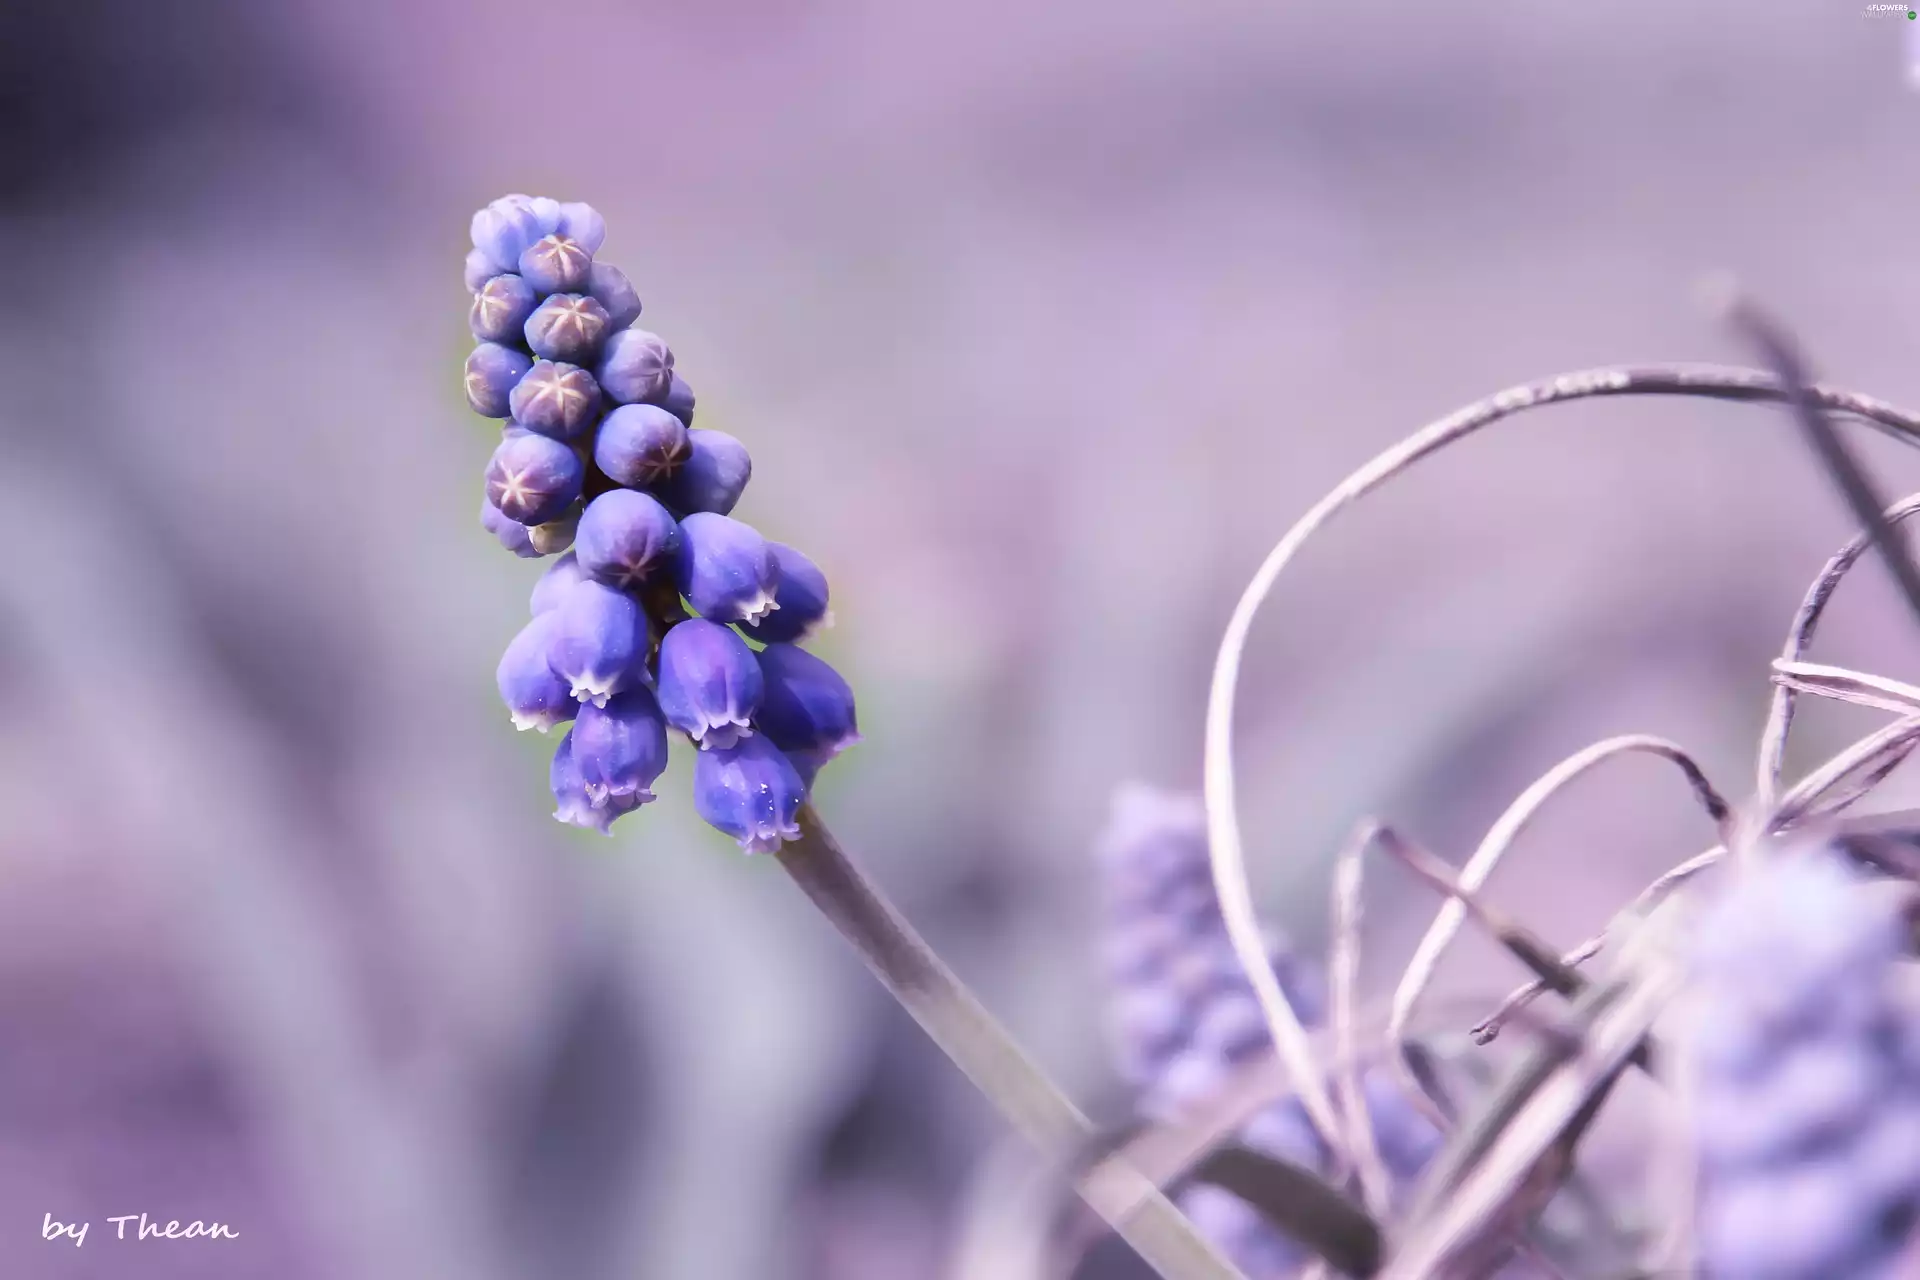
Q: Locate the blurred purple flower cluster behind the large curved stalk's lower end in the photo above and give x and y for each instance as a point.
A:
(1186, 1018)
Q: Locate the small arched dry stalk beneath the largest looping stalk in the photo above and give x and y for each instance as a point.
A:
(1500, 840)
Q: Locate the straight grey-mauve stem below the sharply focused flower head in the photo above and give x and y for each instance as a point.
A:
(986, 1053)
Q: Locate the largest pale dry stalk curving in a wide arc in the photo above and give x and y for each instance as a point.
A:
(1224, 830)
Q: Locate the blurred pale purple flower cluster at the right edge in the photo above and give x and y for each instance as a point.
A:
(1804, 1051)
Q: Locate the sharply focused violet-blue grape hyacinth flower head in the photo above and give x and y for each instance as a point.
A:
(663, 611)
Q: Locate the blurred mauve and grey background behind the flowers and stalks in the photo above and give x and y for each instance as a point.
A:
(1044, 323)
